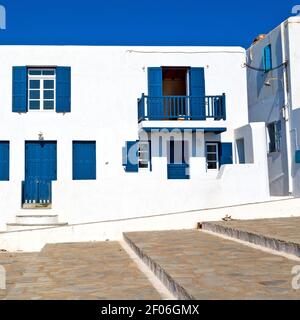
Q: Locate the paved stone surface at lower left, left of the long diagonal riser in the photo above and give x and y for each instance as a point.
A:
(95, 270)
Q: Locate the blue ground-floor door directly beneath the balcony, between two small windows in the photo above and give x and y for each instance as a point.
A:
(178, 160)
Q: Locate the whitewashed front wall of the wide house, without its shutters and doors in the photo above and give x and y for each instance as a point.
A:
(106, 82)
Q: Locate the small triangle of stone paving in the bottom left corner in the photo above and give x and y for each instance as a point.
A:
(14, 264)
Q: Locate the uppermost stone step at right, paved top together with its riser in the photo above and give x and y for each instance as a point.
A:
(280, 234)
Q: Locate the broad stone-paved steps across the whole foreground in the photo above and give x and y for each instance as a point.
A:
(209, 263)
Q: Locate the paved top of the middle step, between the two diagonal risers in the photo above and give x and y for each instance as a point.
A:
(209, 267)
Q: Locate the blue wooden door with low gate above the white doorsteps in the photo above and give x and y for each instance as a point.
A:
(40, 170)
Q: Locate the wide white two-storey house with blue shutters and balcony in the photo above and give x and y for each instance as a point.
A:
(72, 116)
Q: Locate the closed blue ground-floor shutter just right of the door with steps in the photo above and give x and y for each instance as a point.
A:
(84, 160)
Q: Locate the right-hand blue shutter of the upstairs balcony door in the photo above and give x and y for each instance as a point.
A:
(197, 93)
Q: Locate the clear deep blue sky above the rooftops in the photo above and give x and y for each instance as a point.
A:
(141, 22)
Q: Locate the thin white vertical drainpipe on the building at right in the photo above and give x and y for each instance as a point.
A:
(287, 112)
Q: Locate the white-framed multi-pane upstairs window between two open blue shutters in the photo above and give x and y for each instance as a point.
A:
(41, 89)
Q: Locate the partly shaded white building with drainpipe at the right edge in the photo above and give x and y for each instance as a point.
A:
(274, 98)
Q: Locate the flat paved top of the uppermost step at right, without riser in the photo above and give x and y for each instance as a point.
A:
(286, 229)
